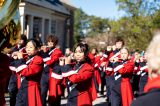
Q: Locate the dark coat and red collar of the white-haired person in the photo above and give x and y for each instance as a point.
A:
(152, 94)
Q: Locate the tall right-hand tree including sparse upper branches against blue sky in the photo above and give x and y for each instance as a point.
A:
(136, 27)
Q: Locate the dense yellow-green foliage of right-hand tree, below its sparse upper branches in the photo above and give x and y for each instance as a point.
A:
(136, 33)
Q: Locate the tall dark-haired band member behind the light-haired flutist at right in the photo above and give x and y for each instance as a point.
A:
(111, 52)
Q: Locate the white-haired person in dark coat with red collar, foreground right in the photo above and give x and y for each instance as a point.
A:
(151, 94)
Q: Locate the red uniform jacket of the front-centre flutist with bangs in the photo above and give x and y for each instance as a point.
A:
(84, 85)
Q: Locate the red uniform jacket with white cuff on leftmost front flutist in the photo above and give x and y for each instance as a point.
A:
(31, 71)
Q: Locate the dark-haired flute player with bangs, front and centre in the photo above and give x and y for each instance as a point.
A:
(79, 78)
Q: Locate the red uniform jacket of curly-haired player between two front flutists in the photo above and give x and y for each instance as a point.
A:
(54, 89)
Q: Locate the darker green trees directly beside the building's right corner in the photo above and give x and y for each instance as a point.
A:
(86, 25)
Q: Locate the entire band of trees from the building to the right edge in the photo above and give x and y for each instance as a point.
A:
(136, 27)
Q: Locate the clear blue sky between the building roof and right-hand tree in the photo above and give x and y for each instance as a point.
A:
(100, 8)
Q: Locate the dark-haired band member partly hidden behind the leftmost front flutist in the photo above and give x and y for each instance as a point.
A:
(14, 83)
